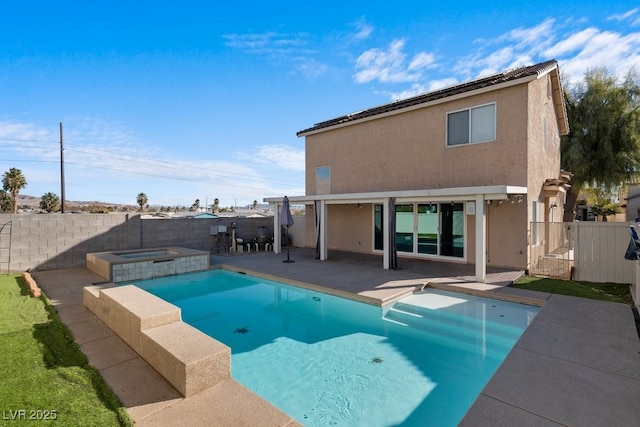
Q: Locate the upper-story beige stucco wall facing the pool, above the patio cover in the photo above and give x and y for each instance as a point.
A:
(408, 151)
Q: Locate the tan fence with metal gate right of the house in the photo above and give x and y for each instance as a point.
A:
(586, 251)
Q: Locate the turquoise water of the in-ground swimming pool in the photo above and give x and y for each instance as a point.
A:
(326, 360)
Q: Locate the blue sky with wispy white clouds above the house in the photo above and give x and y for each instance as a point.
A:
(202, 99)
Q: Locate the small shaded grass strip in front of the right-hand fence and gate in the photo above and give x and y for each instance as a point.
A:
(602, 291)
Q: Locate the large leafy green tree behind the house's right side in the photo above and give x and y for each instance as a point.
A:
(602, 149)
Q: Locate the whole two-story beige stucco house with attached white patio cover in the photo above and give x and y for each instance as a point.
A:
(458, 174)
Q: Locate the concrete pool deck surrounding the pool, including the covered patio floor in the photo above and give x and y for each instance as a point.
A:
(578, 363)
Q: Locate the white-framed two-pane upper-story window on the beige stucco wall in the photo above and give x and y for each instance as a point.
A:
(472, 125)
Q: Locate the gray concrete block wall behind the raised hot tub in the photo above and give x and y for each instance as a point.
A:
(51, 241)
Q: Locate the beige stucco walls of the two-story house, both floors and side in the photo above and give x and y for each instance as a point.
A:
(408, 152)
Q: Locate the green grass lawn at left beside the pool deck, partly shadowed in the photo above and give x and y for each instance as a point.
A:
(44, 377)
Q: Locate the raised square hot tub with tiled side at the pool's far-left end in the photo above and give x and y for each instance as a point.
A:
(140, 264)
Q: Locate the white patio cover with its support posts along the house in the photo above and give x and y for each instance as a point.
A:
(479, 195)
